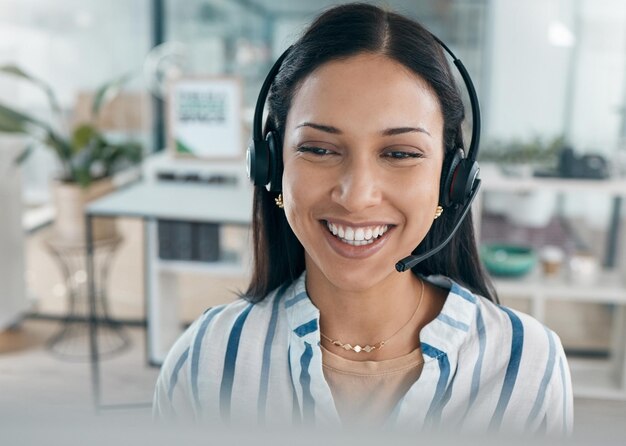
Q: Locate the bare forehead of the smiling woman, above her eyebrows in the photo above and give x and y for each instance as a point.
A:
(365, 89)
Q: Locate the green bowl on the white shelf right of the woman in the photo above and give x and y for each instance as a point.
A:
(508, 260)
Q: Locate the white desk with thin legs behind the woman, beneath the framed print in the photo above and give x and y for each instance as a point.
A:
(152, 201)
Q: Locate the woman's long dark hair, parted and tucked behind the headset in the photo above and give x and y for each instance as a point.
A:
(340, 33)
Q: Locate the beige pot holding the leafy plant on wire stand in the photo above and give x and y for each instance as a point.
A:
(69, 202)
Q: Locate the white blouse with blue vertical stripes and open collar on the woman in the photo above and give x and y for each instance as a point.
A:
(486, 368)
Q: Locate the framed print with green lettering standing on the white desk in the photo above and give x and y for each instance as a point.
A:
(205, 118)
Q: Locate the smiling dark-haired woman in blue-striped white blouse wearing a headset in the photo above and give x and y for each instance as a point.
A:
(328, 332)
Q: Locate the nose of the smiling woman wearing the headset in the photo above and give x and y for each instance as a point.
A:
(358, 187)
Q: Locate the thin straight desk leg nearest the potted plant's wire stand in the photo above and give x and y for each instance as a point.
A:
(93, 316)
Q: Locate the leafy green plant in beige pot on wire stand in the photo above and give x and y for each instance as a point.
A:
(87, 158)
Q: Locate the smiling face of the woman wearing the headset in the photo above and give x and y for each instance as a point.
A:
(362, 157)
